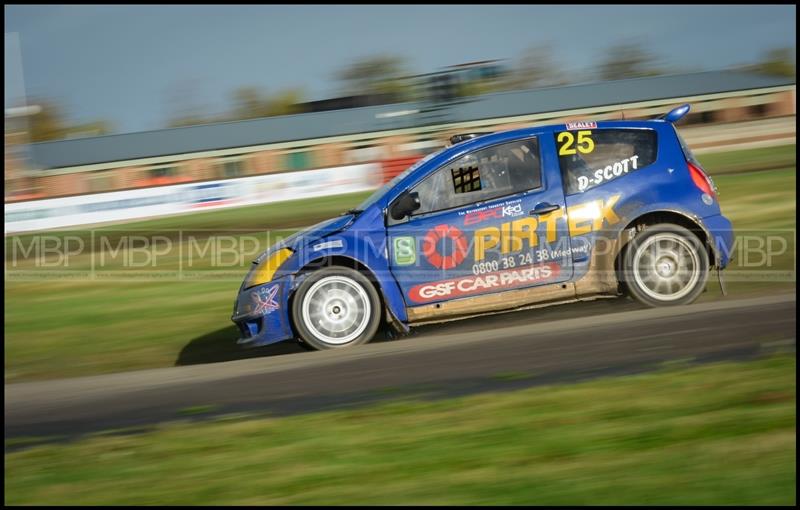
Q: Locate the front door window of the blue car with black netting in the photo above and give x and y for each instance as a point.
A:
(482, 175)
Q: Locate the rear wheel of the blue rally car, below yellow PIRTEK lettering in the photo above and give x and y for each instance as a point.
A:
(665, 265)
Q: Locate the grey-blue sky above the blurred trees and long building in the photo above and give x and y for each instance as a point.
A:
(132, 65)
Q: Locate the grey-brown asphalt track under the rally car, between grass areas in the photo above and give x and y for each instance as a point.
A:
(494, 353)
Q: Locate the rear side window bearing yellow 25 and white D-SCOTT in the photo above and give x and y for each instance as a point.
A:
(589, 158)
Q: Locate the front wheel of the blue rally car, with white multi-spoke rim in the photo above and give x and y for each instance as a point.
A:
(336, 307)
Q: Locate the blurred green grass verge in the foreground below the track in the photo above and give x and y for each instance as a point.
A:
(715, 434)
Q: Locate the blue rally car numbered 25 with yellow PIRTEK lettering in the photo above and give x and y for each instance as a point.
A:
(498, 222)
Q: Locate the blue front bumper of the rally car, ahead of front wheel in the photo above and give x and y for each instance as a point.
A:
(262, 313)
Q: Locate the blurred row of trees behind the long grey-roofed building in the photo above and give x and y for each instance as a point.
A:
(387, 77)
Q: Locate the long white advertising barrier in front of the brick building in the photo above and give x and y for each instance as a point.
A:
(182, 198)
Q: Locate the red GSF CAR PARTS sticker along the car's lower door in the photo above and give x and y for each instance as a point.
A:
(470, 285)
